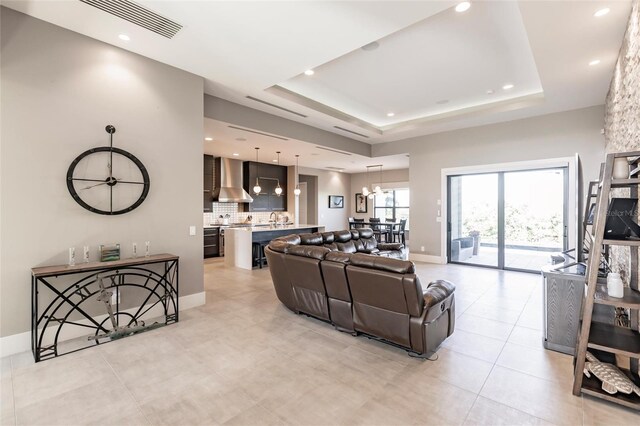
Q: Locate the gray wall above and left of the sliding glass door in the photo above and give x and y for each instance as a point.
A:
(549, 136)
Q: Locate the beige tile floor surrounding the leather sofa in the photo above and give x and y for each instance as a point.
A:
(244, 359)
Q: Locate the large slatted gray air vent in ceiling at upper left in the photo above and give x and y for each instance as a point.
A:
(136, 14)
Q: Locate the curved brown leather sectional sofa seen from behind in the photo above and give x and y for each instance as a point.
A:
(361, 288)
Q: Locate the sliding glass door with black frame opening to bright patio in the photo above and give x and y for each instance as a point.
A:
(508, 220)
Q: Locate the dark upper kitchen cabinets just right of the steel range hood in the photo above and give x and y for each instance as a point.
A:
(268, 176)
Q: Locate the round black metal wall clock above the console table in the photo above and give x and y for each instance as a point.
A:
(124, 188)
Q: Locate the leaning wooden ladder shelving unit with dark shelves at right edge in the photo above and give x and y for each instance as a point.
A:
(596, 336)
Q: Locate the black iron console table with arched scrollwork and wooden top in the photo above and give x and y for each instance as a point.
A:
(76, 307)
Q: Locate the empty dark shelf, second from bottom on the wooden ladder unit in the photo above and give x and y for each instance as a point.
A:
(611, 338)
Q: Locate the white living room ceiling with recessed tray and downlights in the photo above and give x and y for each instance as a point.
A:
(427, 54)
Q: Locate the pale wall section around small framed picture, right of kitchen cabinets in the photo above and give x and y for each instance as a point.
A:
(331, 183)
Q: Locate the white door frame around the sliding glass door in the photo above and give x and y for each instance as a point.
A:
(573, 209)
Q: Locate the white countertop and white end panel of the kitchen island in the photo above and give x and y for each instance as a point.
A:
(238, 243)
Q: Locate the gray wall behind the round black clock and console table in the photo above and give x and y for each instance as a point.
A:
(59, 91)
